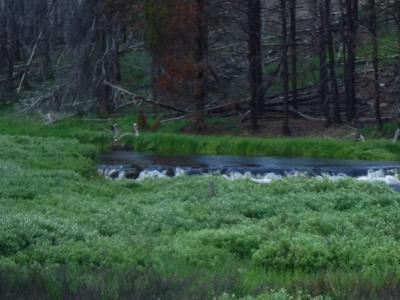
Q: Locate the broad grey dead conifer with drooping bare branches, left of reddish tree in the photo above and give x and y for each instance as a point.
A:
(93, 47)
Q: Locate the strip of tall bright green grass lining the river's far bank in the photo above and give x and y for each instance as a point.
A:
(280, 147)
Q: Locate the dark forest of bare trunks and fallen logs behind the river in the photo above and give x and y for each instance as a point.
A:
(332, 61)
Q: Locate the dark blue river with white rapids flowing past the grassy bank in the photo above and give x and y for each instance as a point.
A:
(139, 166)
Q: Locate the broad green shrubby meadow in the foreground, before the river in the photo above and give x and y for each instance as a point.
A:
(67, 233)
